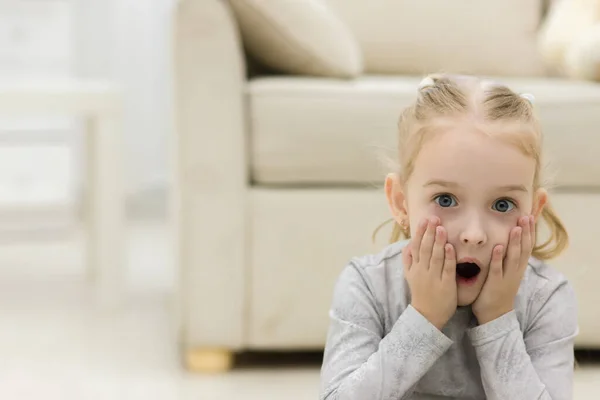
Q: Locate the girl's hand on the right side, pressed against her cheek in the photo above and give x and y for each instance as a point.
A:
(497, 296)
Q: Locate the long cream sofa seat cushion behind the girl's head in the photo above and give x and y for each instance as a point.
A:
(309, 131)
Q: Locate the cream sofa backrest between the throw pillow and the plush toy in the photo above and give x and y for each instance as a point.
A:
(491, 37)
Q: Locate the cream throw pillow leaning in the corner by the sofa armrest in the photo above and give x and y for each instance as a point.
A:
(299, 37)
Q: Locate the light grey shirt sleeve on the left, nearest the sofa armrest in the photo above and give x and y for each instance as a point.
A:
(359, 362)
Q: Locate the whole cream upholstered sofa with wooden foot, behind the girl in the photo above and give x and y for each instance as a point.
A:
(278, 177)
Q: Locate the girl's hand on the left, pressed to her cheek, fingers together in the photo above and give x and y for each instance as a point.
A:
(430, 269)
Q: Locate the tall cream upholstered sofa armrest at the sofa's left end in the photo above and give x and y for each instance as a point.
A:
(210, 174)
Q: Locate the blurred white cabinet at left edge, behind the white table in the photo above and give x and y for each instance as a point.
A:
(36, 166)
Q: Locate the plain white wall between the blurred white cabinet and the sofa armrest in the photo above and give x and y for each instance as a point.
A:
(128, 40)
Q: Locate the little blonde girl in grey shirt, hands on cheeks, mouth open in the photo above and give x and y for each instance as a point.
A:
(467, 309)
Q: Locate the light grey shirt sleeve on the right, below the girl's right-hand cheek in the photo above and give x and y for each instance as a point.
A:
(535, 364)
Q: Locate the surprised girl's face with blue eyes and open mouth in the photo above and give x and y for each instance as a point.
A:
(478, 186)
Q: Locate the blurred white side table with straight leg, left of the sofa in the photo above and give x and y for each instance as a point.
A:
(99, 104)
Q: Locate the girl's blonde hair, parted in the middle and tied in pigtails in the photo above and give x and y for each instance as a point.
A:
(441, 97)
